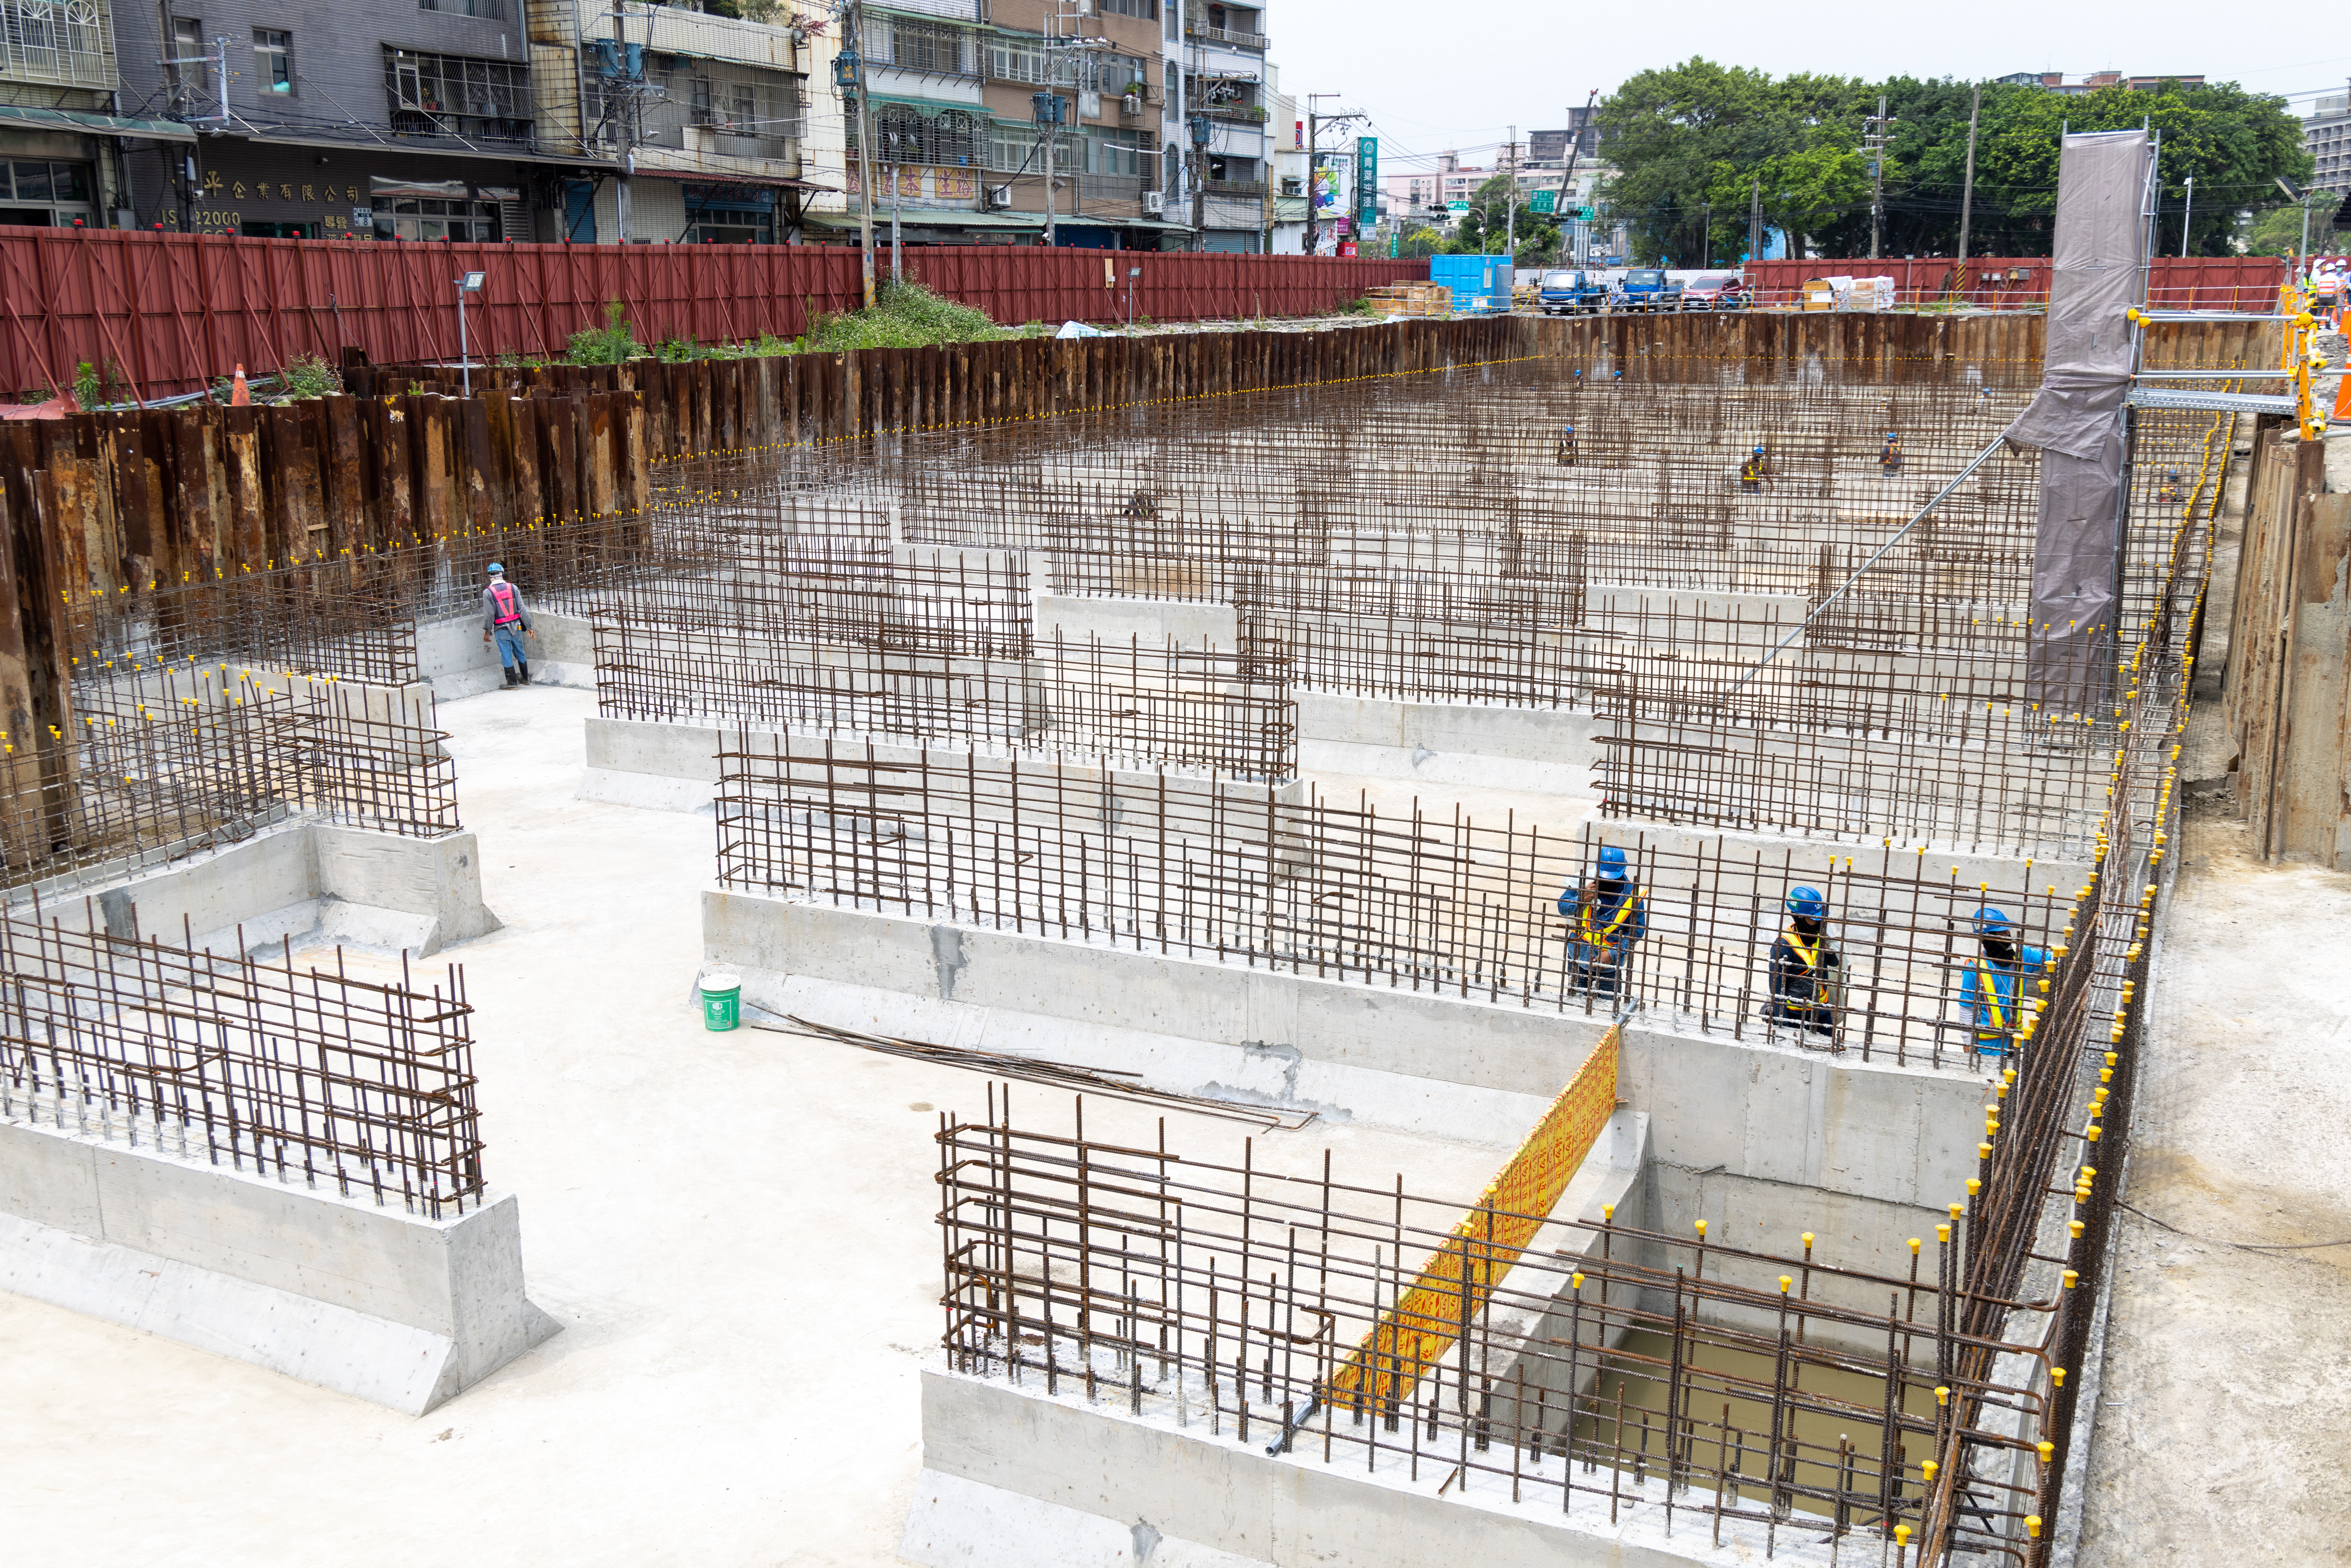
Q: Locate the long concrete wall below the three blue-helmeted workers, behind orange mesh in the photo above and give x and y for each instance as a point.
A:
(1762, 1139)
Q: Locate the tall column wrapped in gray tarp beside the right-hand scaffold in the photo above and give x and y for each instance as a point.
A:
(2075, 420)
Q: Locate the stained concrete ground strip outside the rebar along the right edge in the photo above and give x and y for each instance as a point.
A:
(2228, 1376)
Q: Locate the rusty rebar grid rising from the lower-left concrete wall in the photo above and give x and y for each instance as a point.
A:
(297, 1076)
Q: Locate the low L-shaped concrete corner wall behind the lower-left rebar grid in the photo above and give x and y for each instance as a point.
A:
(300, 880)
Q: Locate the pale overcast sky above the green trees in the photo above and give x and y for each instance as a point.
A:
(1456, 74)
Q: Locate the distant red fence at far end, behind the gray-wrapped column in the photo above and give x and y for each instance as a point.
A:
(2023, 283)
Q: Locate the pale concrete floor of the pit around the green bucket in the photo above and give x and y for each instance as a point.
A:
(735, 1233)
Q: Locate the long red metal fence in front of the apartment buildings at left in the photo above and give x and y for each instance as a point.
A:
(173, 314)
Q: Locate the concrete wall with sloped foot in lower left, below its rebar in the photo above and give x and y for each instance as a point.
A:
(368, 1301)
